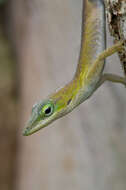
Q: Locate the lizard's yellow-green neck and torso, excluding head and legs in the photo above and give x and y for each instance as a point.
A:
(92, 44)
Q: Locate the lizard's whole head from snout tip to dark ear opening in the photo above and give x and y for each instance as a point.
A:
(45, 112)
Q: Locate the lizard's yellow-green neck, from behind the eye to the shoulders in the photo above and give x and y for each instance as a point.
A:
(71, 95)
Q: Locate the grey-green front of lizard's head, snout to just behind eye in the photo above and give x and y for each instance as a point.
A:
(42, 114)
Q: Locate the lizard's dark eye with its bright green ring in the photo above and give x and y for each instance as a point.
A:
(47, 109)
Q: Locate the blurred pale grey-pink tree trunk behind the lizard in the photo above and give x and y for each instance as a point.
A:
(86, 149)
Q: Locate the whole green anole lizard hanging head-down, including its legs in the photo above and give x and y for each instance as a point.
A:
(89, 73)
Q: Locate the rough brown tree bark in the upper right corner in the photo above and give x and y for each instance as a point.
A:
(116, 14)
